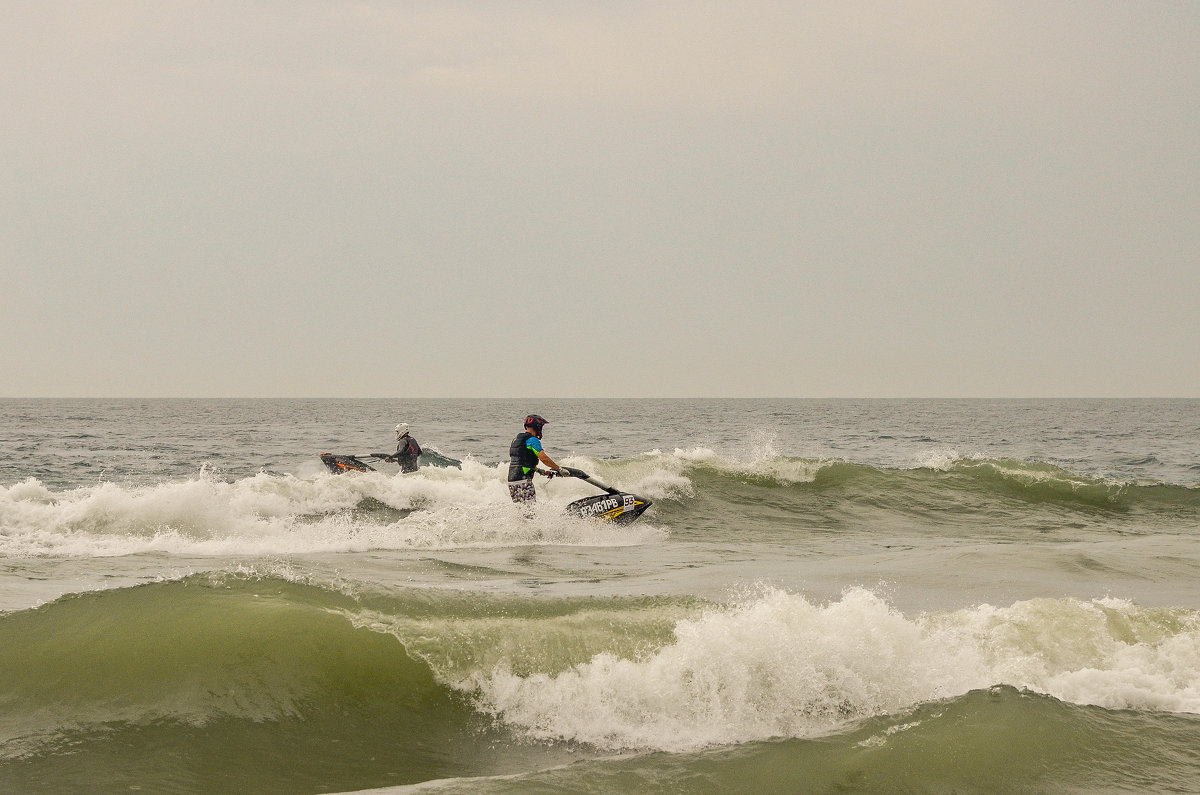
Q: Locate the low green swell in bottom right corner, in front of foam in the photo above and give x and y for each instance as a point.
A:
(993, 740)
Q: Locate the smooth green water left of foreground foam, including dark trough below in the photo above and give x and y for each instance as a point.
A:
(229, 683)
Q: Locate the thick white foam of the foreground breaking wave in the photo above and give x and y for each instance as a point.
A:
(776, 666)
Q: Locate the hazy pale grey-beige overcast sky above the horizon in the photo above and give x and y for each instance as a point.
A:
(613, 199)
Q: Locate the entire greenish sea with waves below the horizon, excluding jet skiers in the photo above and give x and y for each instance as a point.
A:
(826, 596)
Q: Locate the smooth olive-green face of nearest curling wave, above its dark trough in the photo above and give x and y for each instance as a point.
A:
(193, 651)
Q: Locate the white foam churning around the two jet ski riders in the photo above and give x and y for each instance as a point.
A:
(272, 515)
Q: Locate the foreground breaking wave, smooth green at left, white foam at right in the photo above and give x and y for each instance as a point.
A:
(668, 674)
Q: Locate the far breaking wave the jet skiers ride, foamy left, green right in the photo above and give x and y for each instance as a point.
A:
(439, 509)
